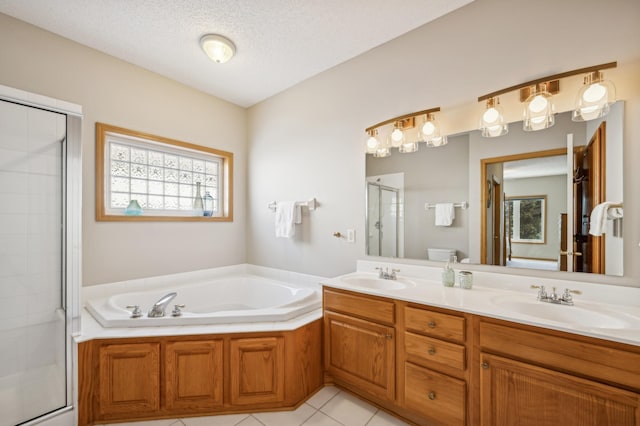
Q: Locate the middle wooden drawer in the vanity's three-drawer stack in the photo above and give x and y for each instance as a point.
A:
(433, 353)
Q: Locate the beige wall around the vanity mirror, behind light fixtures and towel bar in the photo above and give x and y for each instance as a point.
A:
(308, 141)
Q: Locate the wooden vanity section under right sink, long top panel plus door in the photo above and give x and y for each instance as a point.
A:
(533, 376)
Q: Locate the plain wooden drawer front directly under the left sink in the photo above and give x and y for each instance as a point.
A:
(375, 309)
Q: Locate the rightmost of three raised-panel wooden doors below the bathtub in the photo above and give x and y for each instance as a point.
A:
(257, 370)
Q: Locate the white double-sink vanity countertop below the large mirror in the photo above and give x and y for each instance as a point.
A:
(601, 311)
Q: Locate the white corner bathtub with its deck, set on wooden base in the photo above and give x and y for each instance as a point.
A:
(251, 299)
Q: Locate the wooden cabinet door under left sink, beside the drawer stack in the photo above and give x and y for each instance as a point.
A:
(361, 353)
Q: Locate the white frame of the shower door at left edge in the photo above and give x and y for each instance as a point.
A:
(71, 241)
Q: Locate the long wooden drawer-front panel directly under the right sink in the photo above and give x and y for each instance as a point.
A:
(587, 357)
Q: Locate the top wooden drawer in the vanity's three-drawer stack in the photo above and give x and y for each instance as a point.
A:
(434, 324)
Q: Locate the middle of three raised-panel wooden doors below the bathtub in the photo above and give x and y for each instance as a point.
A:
(193, 375)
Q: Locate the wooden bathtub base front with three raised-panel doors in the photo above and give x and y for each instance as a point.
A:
(128, 379)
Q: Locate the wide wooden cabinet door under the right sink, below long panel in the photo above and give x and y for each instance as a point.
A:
(515, 393)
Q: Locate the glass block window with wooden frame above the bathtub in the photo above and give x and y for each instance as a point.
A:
(151, 177)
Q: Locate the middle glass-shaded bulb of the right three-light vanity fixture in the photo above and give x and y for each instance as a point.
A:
(539, 111)
